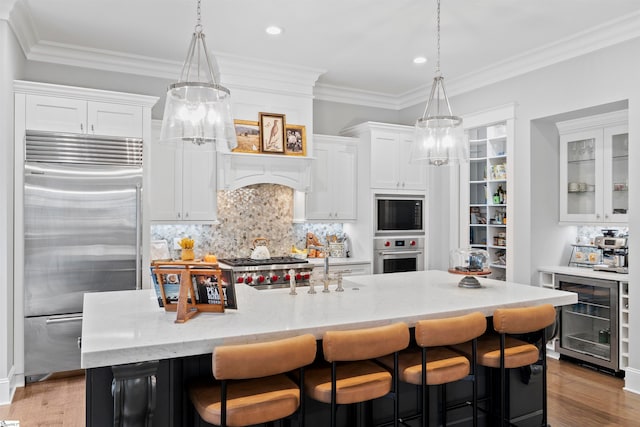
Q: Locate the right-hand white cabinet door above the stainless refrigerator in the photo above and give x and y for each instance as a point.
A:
(114, 119)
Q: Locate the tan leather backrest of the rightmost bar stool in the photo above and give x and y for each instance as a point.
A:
(523, 320)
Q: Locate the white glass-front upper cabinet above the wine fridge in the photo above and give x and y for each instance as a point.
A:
(594, 169)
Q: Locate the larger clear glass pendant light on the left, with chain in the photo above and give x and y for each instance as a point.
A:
(198, 108)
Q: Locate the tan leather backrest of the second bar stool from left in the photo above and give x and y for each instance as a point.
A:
(362, 344)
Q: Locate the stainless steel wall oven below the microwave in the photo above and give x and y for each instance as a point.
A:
(394, 255)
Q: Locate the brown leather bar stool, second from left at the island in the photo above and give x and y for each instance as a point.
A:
(352, 376)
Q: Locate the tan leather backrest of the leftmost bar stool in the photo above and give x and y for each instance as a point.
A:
(233, 362)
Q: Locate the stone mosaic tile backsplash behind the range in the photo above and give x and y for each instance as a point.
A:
(262, 210)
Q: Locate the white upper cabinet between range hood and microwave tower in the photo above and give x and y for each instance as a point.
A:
(333, 179)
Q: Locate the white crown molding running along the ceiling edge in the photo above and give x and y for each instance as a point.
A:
(241, 72)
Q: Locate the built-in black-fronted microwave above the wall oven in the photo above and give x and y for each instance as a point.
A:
(399, 214)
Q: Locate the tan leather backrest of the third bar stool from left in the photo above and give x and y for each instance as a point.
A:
(451, 330)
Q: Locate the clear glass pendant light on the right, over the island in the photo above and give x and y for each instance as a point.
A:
(439, 136)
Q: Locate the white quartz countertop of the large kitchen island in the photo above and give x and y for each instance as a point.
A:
(128, 326)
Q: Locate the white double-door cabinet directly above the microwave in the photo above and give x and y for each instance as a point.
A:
(391, 166)
